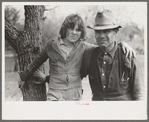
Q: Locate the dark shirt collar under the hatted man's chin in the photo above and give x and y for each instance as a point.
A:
(111, 52)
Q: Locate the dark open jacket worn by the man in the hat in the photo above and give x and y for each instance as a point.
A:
(125, 79)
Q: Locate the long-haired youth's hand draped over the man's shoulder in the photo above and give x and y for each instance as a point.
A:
(127, 50)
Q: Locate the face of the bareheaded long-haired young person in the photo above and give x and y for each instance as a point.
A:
(73, 35)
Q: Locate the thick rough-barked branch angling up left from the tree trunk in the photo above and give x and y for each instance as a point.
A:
(11, 34)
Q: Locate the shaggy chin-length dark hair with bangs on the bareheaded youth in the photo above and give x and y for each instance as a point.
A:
(70, 22)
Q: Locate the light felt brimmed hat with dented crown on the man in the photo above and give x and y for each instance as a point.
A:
(105, 20)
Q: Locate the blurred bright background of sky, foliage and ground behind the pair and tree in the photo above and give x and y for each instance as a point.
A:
(132, 16)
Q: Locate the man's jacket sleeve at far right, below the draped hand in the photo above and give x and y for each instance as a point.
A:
(137, 81)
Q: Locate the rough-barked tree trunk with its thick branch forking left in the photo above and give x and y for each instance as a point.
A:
(28, 44)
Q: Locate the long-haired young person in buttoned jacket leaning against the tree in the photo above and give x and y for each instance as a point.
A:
(65, 58)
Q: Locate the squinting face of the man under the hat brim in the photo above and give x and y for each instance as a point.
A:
(105, 38)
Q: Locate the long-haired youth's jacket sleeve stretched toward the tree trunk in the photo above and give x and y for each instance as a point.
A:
(37, 62)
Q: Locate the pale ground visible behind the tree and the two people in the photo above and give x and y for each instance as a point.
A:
(13, 93)
